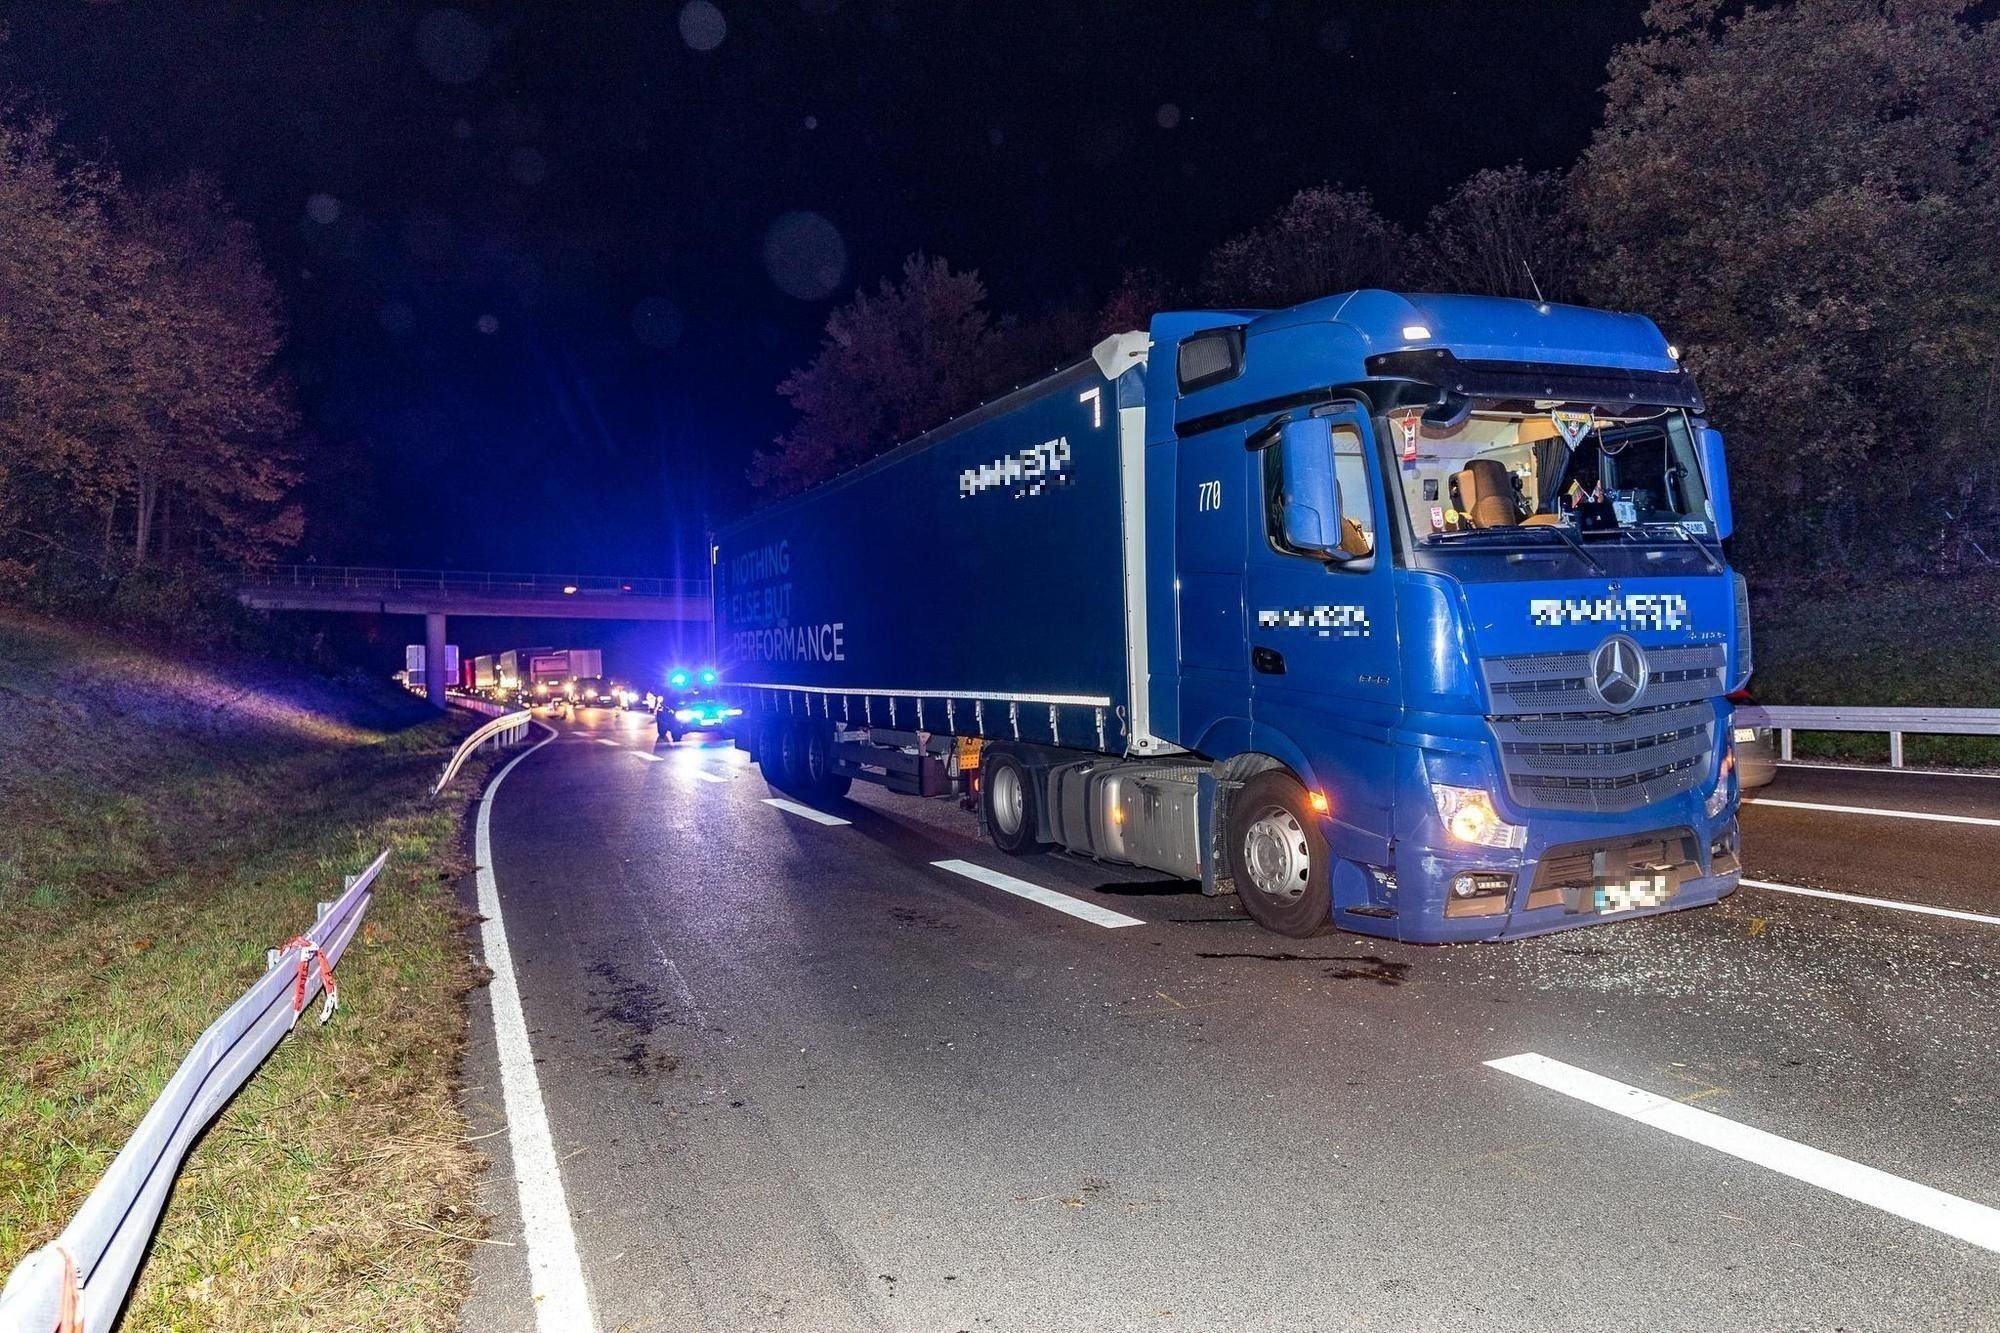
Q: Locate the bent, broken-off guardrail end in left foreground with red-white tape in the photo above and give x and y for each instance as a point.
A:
(109, 1236)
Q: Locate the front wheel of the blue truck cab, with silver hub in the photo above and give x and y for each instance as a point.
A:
(1279, 858)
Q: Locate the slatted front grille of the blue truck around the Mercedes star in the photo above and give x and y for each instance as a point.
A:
(1561, 750)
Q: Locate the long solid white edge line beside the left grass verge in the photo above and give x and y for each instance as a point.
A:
(555, 1272)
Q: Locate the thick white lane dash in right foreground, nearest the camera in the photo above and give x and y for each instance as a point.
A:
(1921, 1204)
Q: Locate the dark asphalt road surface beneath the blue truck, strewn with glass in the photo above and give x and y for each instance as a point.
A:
(801, 1078)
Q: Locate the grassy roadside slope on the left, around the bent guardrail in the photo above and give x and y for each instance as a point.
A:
(161, 826)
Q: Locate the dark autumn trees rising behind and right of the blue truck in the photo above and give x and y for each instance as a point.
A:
(1803, 193)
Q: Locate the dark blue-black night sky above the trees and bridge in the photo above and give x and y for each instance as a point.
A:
(547, 263)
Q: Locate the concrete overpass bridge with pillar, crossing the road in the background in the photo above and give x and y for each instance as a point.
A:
(439, 593)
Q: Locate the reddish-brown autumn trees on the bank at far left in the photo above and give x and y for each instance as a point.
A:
(143, 423)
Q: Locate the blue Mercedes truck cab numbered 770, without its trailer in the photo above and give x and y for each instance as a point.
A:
(1449, 611)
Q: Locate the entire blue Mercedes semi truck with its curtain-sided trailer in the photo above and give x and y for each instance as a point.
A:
(1395, 613)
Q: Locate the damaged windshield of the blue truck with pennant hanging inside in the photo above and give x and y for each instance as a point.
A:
(1507, 469)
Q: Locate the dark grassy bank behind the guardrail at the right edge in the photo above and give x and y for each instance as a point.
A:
(1897, 643)
